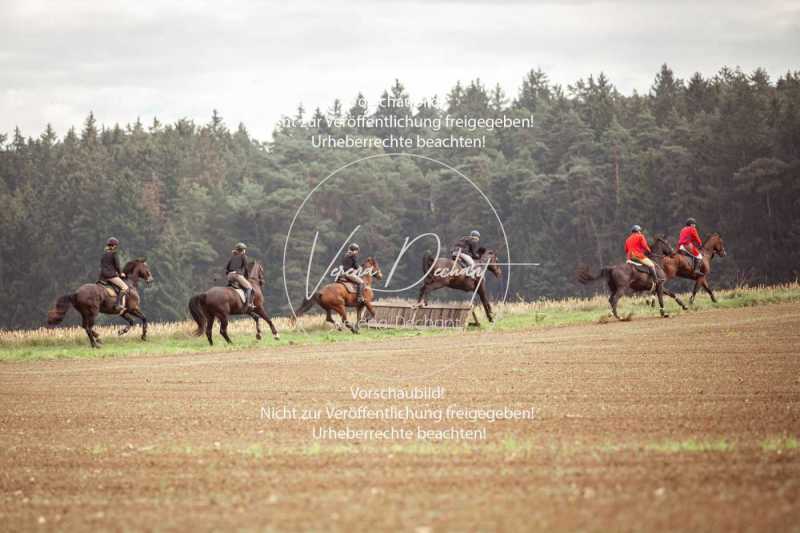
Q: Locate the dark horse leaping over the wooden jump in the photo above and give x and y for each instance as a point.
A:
(444, 272)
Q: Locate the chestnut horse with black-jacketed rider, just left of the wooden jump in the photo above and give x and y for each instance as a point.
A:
(336, 297)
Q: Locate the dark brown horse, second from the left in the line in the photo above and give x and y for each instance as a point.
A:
(221, 302)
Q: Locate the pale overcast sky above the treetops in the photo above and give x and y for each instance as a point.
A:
(256, 60)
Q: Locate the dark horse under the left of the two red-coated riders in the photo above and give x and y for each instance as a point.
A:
(626, 278)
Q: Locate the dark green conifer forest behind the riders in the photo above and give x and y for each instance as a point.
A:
(723, 148)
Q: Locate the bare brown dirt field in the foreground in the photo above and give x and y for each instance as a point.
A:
(178, 443)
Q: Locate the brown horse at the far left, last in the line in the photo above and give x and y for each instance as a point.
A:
(92, 299)
